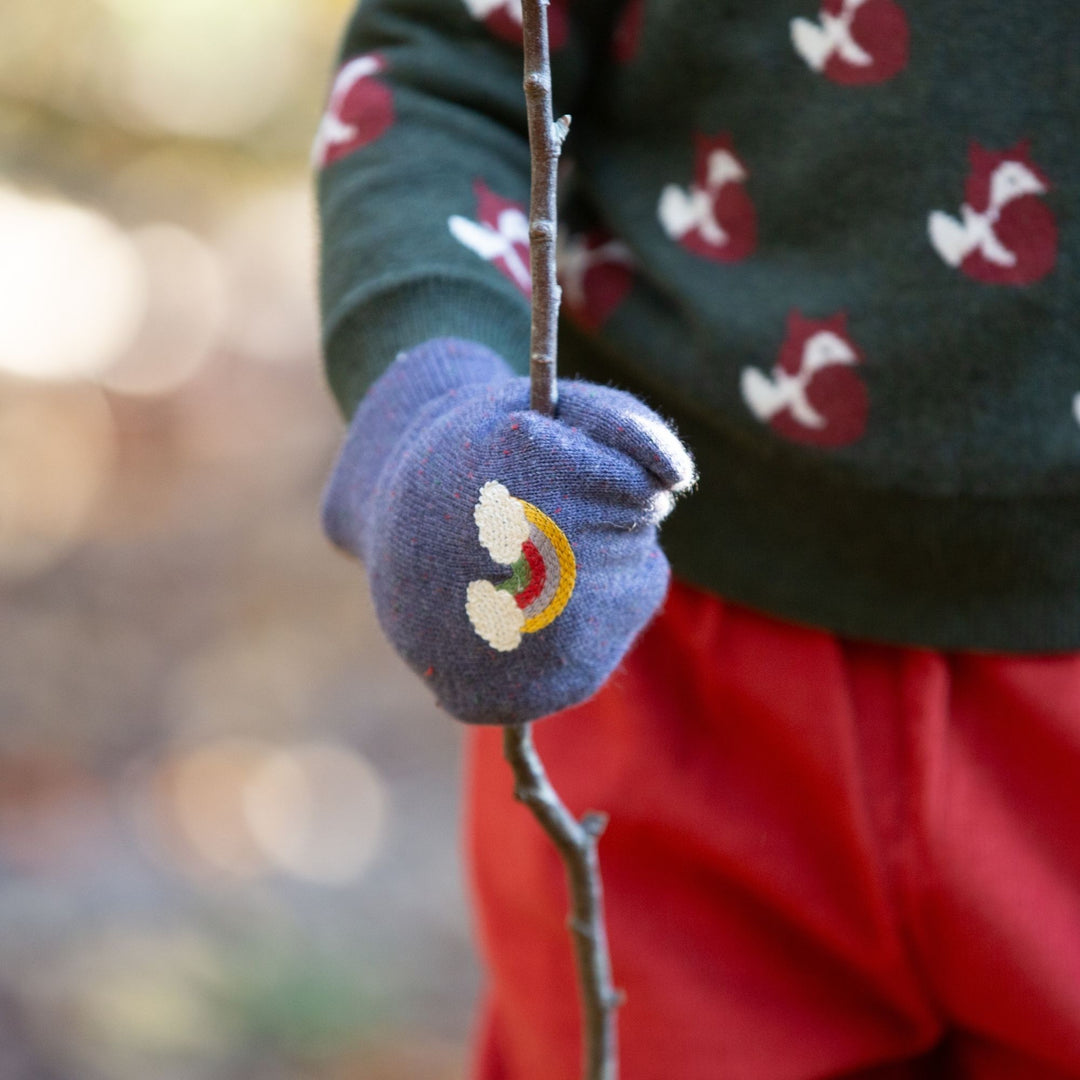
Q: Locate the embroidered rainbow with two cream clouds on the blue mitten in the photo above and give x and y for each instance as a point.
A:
(543, 570)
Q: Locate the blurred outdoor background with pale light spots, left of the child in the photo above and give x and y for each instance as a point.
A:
(228, 816)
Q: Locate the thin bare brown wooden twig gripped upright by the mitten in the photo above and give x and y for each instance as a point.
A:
(575, 841)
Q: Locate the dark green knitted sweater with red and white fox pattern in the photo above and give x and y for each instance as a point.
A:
(835, 242)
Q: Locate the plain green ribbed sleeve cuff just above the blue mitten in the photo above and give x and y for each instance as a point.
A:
(374, 327)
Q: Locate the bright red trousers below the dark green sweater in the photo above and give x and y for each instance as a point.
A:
(825, 859)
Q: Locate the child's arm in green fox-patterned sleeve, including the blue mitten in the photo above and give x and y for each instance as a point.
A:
(512, 559)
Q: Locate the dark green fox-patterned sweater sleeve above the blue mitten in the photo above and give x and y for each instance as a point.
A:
(423, 168)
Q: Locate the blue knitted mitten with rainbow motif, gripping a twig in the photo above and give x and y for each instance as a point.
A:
(512, 558)
